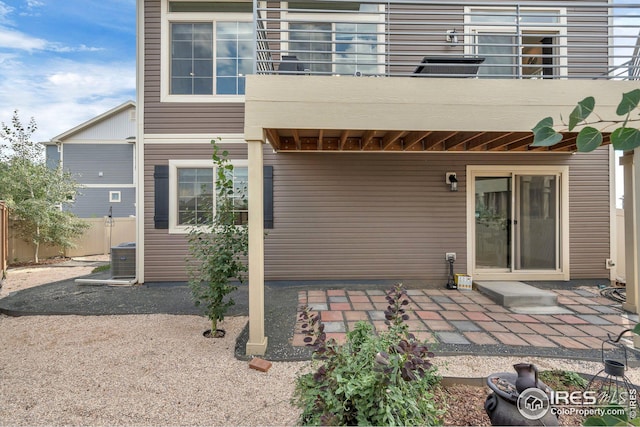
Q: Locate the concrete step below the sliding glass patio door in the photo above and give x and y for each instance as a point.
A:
(516, 294)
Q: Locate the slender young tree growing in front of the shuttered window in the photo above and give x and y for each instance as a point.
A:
(218, 245)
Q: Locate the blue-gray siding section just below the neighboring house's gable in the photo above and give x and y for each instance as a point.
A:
(85, 161)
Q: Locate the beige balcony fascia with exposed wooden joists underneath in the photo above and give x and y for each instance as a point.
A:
(312, 113)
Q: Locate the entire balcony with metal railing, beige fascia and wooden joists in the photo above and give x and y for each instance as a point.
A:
(467, 76)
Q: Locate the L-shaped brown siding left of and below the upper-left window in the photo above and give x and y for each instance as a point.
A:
(175, 117)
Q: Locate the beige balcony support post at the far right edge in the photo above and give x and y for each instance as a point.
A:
(631, 210)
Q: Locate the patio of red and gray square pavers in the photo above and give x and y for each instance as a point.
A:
(460, 320)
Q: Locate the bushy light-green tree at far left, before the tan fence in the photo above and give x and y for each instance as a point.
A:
(34, 192)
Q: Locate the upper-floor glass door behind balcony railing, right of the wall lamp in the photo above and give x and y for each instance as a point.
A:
(525, 43)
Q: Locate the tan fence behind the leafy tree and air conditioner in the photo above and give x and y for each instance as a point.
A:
(102, 234)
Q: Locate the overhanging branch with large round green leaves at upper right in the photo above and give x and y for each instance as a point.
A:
(624, 137)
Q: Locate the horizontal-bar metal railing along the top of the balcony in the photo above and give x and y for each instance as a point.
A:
(524, 40)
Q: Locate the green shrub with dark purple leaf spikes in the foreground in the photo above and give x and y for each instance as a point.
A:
(383, 379)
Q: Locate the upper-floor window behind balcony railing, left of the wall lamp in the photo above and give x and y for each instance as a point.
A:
(327, 41)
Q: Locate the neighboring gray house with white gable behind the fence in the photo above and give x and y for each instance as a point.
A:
(100, 155)
